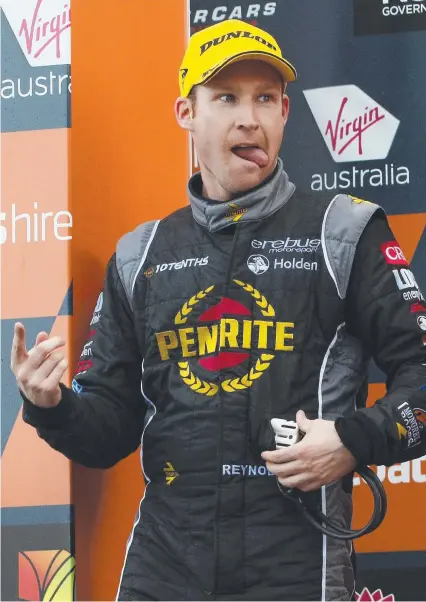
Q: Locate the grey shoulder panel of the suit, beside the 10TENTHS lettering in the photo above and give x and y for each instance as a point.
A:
(131, 252)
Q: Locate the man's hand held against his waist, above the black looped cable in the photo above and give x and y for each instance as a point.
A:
(318, 459)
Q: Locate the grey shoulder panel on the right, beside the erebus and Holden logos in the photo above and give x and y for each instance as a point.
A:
(344, 222)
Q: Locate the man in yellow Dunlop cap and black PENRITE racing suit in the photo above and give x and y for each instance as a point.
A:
(255, 302)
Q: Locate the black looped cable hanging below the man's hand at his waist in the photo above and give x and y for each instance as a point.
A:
(314, 515)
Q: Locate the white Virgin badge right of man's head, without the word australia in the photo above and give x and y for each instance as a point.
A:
(353, 125)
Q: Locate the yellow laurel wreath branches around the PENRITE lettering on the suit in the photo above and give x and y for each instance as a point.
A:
(208, 388)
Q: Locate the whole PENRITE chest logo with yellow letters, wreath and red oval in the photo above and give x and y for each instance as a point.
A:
(217, 342)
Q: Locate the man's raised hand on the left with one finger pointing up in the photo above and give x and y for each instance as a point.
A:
(38, 371)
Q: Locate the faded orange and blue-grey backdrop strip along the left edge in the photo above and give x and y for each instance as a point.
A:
(37, 558)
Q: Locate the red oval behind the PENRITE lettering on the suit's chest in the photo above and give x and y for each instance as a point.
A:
(224, 359)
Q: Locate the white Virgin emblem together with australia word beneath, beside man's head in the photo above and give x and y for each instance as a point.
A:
(354, 128)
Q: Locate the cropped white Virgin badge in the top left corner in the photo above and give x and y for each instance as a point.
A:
(42, 28)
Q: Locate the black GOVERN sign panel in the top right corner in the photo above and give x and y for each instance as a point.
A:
(388, 16)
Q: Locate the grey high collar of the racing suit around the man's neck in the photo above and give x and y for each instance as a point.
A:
(256, 204)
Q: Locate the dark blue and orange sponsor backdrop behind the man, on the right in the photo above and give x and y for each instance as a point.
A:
(357, 125)
